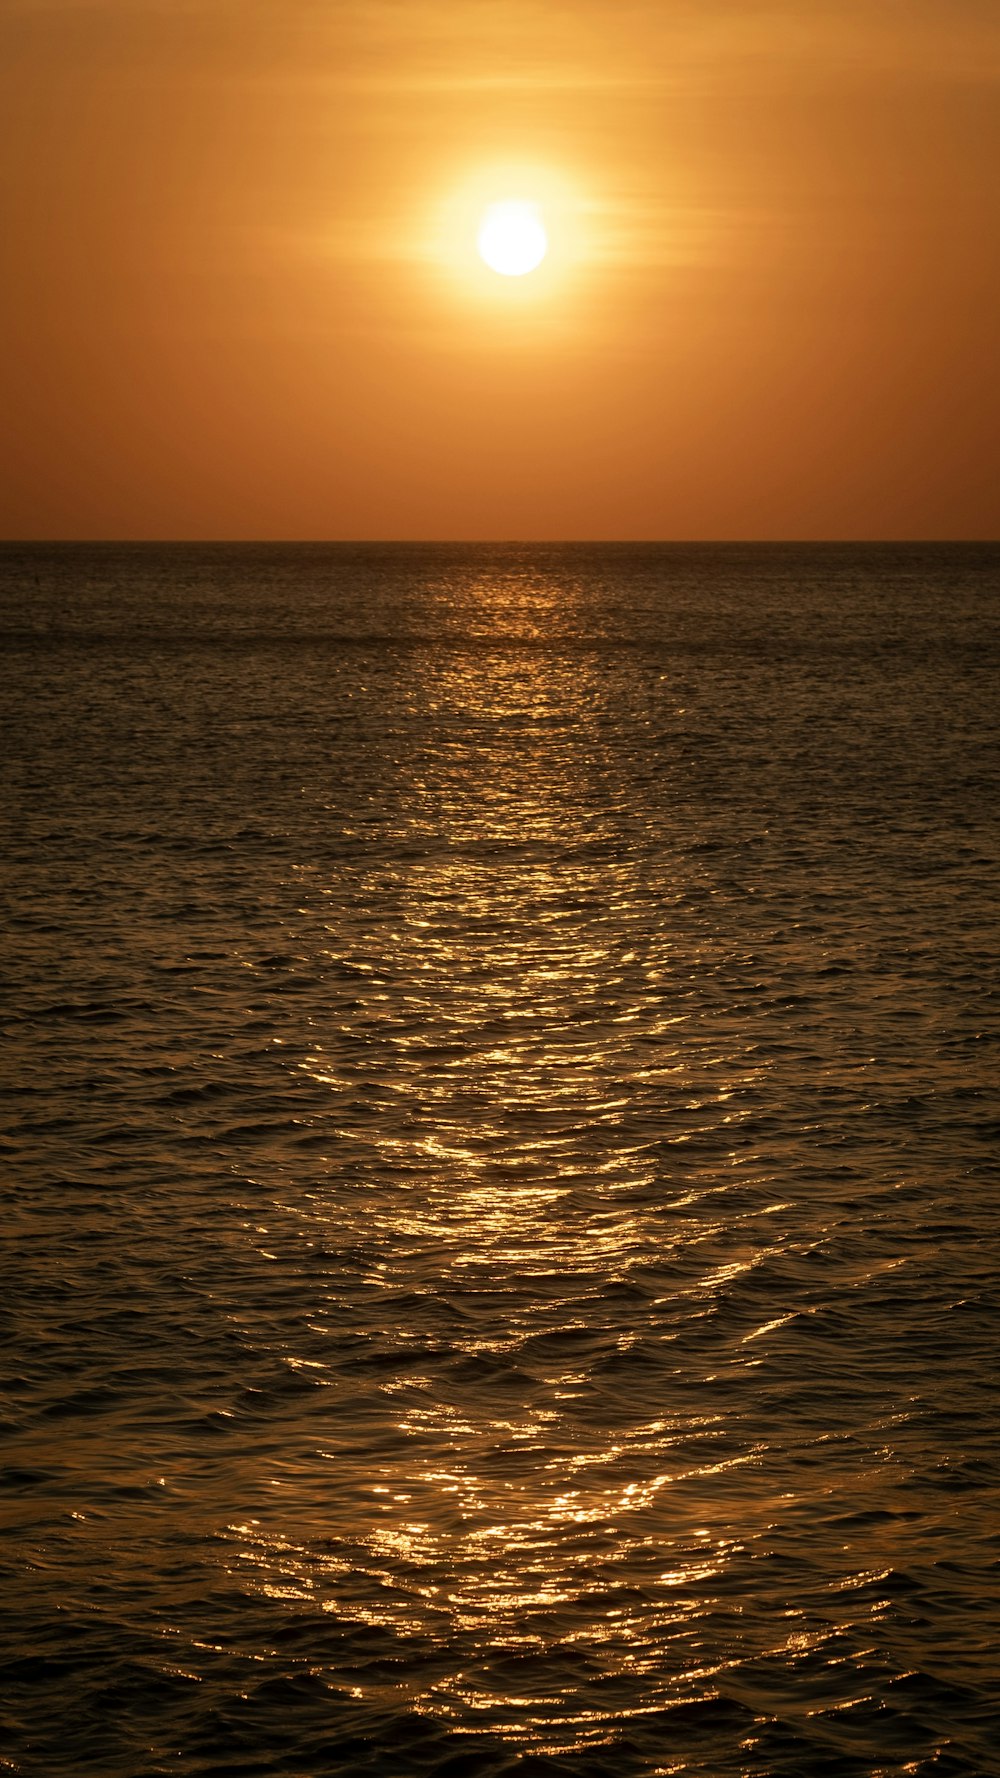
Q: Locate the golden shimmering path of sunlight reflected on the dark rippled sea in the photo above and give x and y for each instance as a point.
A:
(561, 1478)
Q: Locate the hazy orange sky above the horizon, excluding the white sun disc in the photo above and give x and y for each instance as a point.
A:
(239, 294)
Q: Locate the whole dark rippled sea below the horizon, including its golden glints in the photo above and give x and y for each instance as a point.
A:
(501, 1165)
